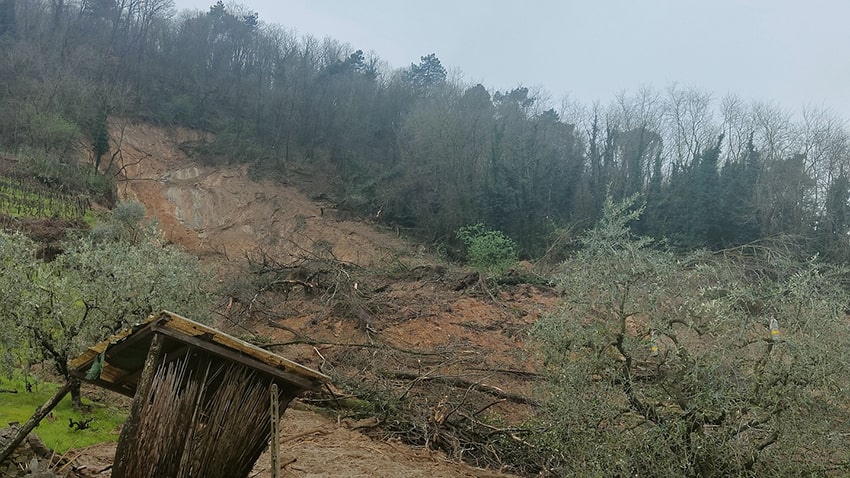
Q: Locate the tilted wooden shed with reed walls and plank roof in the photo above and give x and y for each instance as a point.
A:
(202, 404)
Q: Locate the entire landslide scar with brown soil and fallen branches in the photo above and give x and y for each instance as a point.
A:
(427, 353)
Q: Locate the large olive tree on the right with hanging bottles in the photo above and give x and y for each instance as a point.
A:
(715, 364)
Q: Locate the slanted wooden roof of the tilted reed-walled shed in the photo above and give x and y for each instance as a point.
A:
(122, 356)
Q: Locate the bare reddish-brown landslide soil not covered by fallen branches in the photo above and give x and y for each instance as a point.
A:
(224, 215)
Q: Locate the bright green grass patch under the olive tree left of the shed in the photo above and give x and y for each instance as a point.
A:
(54, 431)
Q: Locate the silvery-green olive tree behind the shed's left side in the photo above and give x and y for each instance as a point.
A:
(93, 289)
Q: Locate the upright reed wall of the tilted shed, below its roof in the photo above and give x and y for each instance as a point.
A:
(210, 421)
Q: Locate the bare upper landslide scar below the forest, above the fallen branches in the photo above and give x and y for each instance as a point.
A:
(221, 210)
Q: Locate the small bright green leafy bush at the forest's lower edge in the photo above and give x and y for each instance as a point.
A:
(488, 250)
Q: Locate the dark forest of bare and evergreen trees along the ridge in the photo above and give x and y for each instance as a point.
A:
(423, 151)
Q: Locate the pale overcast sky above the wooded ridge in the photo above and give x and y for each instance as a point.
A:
(791, 52)
